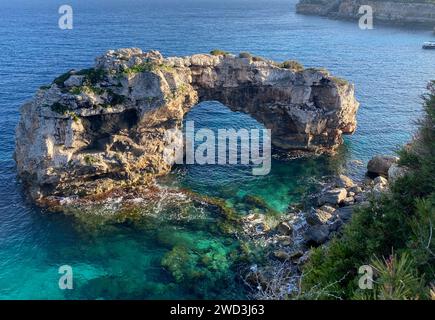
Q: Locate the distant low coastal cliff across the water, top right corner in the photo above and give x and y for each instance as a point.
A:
(420, 12)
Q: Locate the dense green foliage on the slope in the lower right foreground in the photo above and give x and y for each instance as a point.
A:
(395, 235)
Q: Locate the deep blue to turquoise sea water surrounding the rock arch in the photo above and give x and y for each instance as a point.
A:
(387, 65)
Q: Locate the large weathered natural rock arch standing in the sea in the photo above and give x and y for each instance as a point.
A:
(106, 128)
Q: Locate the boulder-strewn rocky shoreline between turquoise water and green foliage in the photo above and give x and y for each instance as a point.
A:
(288, 244)
